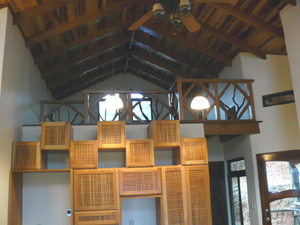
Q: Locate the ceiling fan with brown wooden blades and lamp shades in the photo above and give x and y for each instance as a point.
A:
(178, 11)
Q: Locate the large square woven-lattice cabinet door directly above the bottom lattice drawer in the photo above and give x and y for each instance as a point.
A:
(95, 190)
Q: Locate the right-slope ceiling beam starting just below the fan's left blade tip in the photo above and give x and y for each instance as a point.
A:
(189, 43)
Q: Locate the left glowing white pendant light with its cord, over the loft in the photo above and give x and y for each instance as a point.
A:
(112, 101)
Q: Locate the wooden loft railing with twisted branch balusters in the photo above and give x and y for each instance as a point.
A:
(231, 101)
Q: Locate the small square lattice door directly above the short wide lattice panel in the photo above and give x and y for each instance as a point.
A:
(139, 153)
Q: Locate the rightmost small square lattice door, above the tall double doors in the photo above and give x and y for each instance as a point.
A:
(193, 151)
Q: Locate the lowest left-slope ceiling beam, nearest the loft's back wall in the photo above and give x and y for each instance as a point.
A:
(63, 91)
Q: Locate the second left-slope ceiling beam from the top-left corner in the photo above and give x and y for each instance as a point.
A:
(77, 22)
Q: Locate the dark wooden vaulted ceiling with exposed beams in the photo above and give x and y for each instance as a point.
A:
(78, 43)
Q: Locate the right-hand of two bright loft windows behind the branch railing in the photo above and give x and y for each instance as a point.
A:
(142, 110)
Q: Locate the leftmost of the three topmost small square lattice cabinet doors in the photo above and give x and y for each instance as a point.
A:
(55, 136)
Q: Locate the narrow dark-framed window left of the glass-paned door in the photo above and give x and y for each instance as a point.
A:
(238, 192)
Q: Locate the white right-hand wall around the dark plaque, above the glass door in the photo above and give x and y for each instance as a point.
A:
(279, 128)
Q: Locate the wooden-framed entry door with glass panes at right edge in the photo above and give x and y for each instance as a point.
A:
(279, 187)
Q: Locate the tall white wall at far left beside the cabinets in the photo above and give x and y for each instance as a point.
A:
(21, 90)
